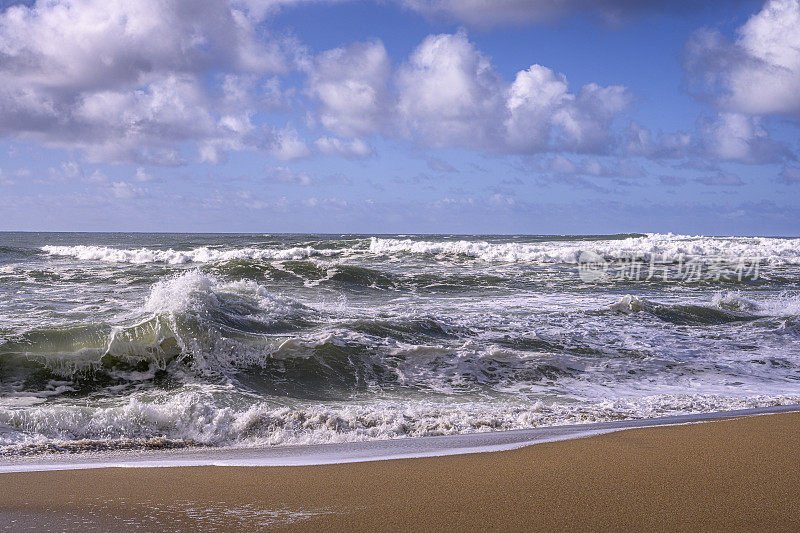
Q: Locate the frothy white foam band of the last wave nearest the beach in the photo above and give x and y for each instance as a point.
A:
(203, 415)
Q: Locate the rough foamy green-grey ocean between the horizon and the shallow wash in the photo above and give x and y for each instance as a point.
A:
(119, 341)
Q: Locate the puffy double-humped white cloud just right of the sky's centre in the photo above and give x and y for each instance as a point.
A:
(449, 94)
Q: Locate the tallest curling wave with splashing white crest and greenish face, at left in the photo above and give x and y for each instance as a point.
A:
(191, 322)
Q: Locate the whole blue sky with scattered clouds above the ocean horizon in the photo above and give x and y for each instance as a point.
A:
(401, 116)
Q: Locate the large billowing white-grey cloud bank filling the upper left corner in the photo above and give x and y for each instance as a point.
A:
(127, 81)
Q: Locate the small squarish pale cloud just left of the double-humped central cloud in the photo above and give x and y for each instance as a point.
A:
(351, 86)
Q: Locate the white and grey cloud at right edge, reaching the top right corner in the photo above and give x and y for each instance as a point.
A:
(747, 80)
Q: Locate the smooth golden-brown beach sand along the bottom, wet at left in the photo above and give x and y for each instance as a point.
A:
(731, 474)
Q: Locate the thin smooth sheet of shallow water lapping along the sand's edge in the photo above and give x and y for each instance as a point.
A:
(356, 452)
